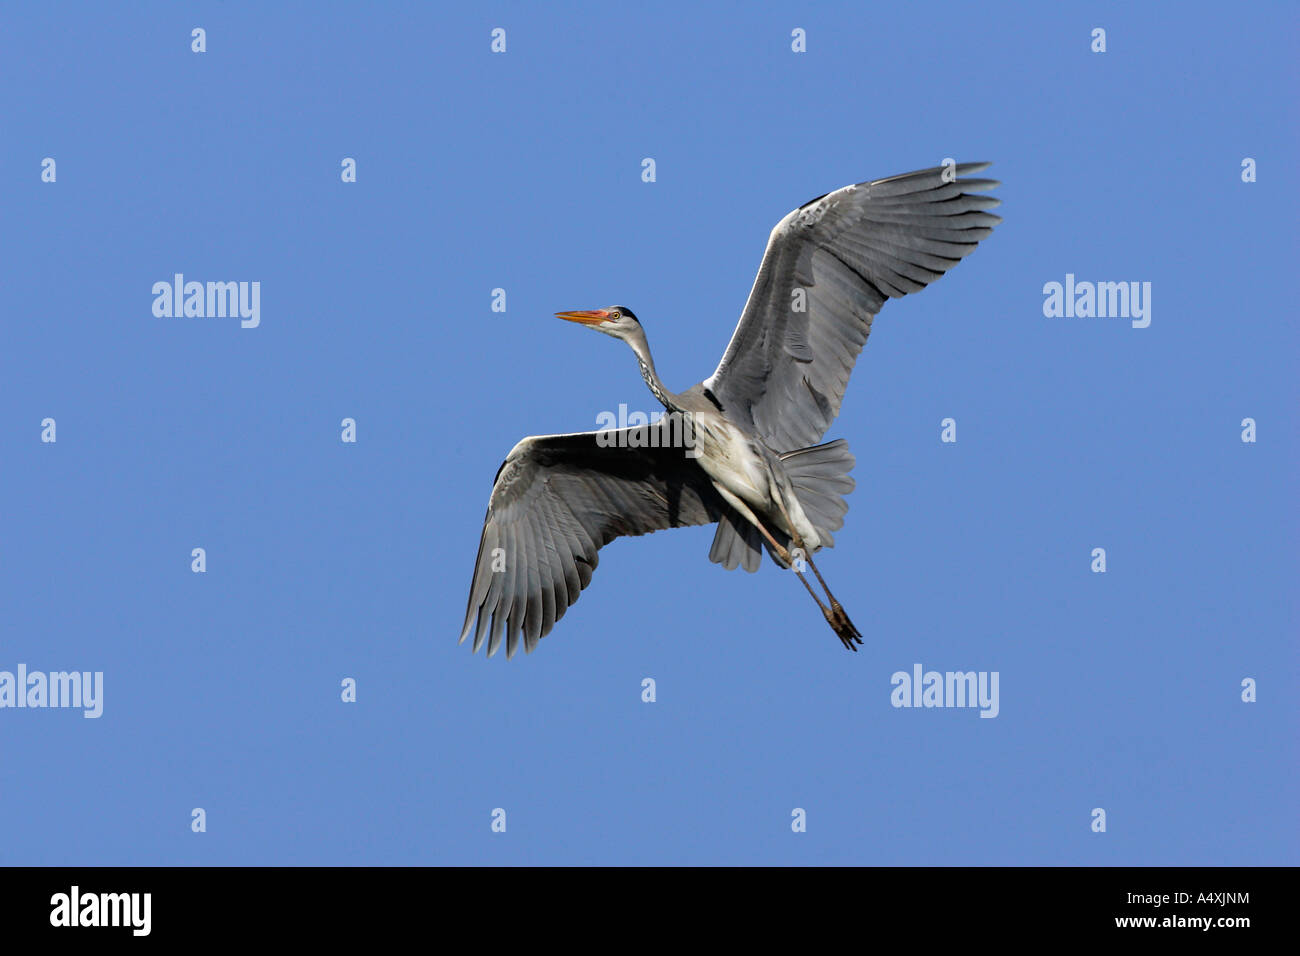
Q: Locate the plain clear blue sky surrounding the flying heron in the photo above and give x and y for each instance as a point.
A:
(523, 171)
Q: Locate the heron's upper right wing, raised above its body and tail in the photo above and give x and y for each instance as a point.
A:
(829, 269)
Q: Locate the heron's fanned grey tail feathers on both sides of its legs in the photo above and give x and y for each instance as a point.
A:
(821, 479)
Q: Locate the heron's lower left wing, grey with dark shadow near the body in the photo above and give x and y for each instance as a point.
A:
(557, 501)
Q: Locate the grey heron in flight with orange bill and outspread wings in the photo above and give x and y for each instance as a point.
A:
(748, 457)
